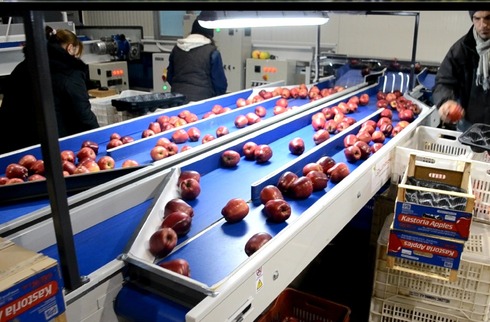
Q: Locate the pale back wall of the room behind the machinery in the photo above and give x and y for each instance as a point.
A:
(375, 36)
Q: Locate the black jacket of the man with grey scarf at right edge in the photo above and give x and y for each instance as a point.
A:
(455, 80)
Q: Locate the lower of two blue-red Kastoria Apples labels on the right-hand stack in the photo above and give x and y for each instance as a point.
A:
(425, 249)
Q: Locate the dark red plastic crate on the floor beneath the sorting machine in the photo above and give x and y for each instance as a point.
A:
(305, 307)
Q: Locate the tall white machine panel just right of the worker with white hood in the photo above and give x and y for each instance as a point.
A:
(235, 46)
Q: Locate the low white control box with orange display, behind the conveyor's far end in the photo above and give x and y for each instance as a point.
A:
(265, 71)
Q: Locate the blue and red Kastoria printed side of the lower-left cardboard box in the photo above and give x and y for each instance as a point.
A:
(38, 298)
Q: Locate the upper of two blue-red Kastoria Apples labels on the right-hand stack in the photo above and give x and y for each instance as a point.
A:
(431, 220)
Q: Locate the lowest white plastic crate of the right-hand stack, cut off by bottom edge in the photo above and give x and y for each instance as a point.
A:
(398, 309)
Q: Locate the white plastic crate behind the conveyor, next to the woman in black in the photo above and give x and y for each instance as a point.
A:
(106, 113)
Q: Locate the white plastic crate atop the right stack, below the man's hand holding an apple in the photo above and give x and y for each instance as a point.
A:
(434, 142)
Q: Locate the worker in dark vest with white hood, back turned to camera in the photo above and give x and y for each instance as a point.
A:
(195, 66)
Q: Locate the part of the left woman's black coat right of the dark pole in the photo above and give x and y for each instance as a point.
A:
(69, 78)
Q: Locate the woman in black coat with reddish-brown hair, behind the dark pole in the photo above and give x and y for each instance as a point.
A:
(71, 101)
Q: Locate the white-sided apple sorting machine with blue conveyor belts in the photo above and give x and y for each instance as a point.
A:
(113, 218)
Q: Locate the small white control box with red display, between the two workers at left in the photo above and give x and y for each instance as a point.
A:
(110, 74)
